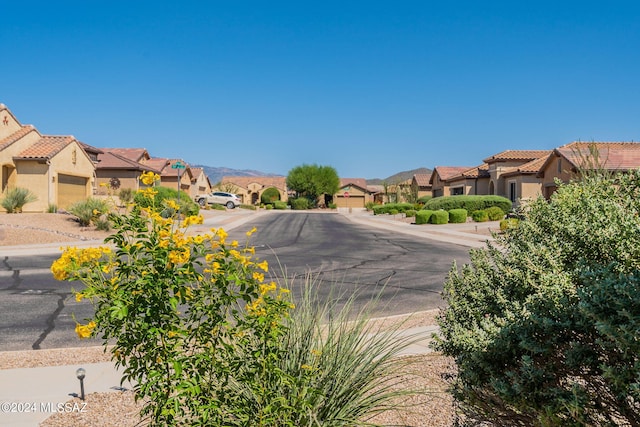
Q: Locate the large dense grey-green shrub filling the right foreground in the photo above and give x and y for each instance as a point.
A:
(543, 326)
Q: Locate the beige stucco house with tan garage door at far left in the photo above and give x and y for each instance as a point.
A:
(57, 169)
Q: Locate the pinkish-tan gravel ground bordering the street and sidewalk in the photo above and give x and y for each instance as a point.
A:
(432, 407)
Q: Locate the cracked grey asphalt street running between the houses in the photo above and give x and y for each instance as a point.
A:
(343, 257)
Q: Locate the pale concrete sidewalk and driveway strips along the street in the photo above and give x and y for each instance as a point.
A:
(28, 396)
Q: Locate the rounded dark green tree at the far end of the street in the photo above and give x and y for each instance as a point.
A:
(311, 181)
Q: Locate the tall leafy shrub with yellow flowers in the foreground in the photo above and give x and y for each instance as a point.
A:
(191, 319)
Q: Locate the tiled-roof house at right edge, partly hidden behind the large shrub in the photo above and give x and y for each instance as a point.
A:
(565, 162)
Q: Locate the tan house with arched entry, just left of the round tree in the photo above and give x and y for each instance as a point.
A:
(250, 188)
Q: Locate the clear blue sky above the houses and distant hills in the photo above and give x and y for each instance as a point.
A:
(368, 87)
